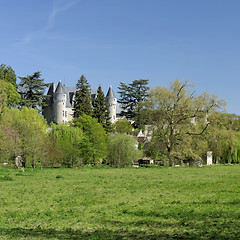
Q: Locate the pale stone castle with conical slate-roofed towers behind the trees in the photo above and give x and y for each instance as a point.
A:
(60, 103)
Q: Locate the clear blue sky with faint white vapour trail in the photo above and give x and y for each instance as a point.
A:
(113, 41)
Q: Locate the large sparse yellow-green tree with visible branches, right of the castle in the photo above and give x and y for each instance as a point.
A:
(178, 116)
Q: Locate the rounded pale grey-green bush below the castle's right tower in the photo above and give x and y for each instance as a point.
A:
(122, 151)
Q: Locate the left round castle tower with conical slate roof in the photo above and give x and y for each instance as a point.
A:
(59, 103)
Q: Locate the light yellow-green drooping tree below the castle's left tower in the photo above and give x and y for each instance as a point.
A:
(69, 138)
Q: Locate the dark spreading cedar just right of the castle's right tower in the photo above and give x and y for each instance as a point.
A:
(131, 97)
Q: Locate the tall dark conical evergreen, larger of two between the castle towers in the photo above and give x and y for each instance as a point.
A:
(82, 102)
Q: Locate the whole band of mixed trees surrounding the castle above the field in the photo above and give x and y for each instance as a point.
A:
(183, 126)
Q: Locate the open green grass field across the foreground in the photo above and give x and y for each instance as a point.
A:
(105, 203)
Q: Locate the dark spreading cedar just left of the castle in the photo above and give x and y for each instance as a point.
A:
(31, 89)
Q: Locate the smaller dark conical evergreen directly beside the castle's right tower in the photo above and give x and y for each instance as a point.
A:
(100, 109)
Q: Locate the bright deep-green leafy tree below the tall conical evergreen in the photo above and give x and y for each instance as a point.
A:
(93, 147)
